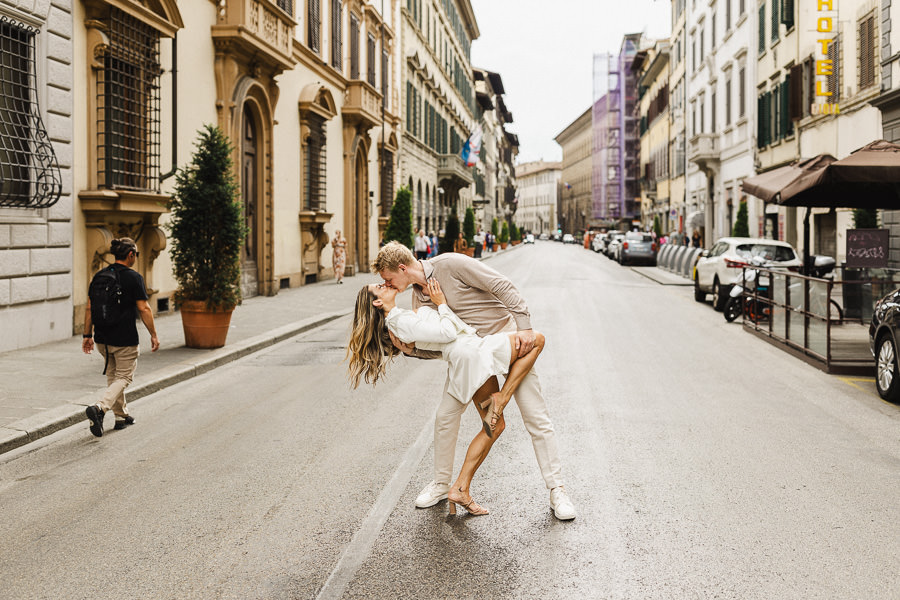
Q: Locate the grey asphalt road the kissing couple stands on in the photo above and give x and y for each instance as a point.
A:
(704, 463)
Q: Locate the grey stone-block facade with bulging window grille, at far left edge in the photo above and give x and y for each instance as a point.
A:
(36, 155)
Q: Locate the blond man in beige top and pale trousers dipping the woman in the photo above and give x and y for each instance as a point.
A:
(490, 303)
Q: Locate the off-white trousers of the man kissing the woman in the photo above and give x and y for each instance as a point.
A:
(535, 416)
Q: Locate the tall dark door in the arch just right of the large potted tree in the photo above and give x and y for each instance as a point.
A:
(250, 198)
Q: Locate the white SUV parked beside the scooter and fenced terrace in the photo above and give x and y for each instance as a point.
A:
(715, 268)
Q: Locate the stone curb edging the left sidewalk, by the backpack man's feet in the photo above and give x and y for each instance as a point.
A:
(50, 421)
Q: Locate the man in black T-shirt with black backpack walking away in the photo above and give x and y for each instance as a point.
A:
(116, 297)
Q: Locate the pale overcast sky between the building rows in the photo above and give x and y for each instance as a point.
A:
(544, 53)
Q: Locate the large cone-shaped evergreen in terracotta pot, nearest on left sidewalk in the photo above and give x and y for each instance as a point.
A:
(207, 231)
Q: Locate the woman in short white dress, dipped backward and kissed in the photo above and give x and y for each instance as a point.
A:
(474, 364)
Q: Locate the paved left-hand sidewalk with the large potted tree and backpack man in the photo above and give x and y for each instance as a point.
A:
(46, 388)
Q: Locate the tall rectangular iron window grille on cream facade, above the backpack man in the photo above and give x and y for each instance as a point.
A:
(128, 106)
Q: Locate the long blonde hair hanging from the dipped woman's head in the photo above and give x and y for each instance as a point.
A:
(370, 348)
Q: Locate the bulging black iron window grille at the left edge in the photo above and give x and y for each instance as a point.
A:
(29, 172)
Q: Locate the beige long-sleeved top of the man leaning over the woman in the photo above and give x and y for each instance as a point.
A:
(478, 294)
